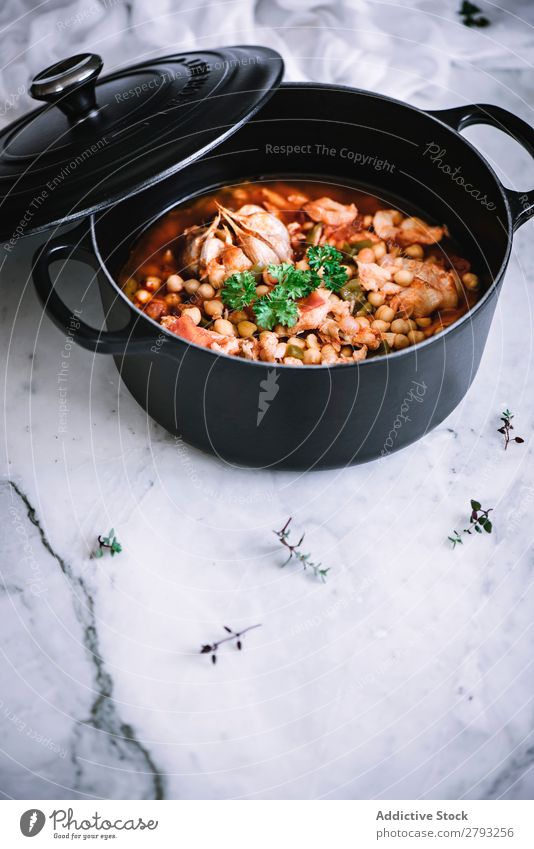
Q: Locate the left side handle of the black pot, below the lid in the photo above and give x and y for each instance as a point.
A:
(72, 246)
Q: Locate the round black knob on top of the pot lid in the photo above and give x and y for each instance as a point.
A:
(70, 85)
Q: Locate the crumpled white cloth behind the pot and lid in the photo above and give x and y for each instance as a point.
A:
(405, 49)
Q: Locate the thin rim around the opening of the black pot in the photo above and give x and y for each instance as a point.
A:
(394, 355)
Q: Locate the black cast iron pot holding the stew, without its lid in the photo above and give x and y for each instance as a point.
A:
(259, 415)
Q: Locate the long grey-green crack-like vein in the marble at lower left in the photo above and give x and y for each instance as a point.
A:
(104, 715)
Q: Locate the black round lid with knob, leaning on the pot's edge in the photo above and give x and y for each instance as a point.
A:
(101, 139)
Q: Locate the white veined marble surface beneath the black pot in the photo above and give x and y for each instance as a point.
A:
(407, 675)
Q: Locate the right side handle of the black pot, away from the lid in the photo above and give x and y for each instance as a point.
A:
(521, 203)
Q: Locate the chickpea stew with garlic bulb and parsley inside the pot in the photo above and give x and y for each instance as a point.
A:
(298, 273)
